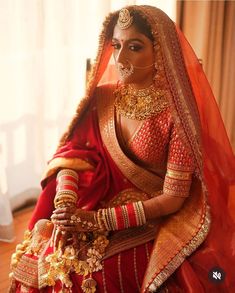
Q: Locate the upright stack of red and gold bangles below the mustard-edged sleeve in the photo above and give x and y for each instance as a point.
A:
(66, 189)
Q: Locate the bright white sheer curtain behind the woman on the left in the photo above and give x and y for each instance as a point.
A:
(44, 46)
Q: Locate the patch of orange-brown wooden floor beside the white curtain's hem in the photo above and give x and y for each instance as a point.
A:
(21, 219)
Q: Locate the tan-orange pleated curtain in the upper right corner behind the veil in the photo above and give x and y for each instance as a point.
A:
(210, 29)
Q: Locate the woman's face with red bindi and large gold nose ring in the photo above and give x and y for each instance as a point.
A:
(134, 56)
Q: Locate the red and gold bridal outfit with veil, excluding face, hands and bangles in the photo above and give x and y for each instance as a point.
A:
(176, 151)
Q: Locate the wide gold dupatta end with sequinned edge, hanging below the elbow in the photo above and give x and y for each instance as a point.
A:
(180, 234)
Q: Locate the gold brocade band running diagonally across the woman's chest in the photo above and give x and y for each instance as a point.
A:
(141, 178)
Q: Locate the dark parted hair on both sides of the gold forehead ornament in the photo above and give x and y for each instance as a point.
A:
(139, 22)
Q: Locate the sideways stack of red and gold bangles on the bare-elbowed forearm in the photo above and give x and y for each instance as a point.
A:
(121, 217)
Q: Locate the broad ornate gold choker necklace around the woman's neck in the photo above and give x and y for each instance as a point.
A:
(139, 104)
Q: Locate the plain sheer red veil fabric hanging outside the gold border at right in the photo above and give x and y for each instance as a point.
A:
(218, 250)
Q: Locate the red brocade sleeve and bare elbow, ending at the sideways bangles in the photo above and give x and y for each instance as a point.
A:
(178, 179)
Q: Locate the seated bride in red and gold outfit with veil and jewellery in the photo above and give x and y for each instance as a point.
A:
(136, 196)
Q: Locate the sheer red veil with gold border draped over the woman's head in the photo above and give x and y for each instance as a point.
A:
(194, 109)
